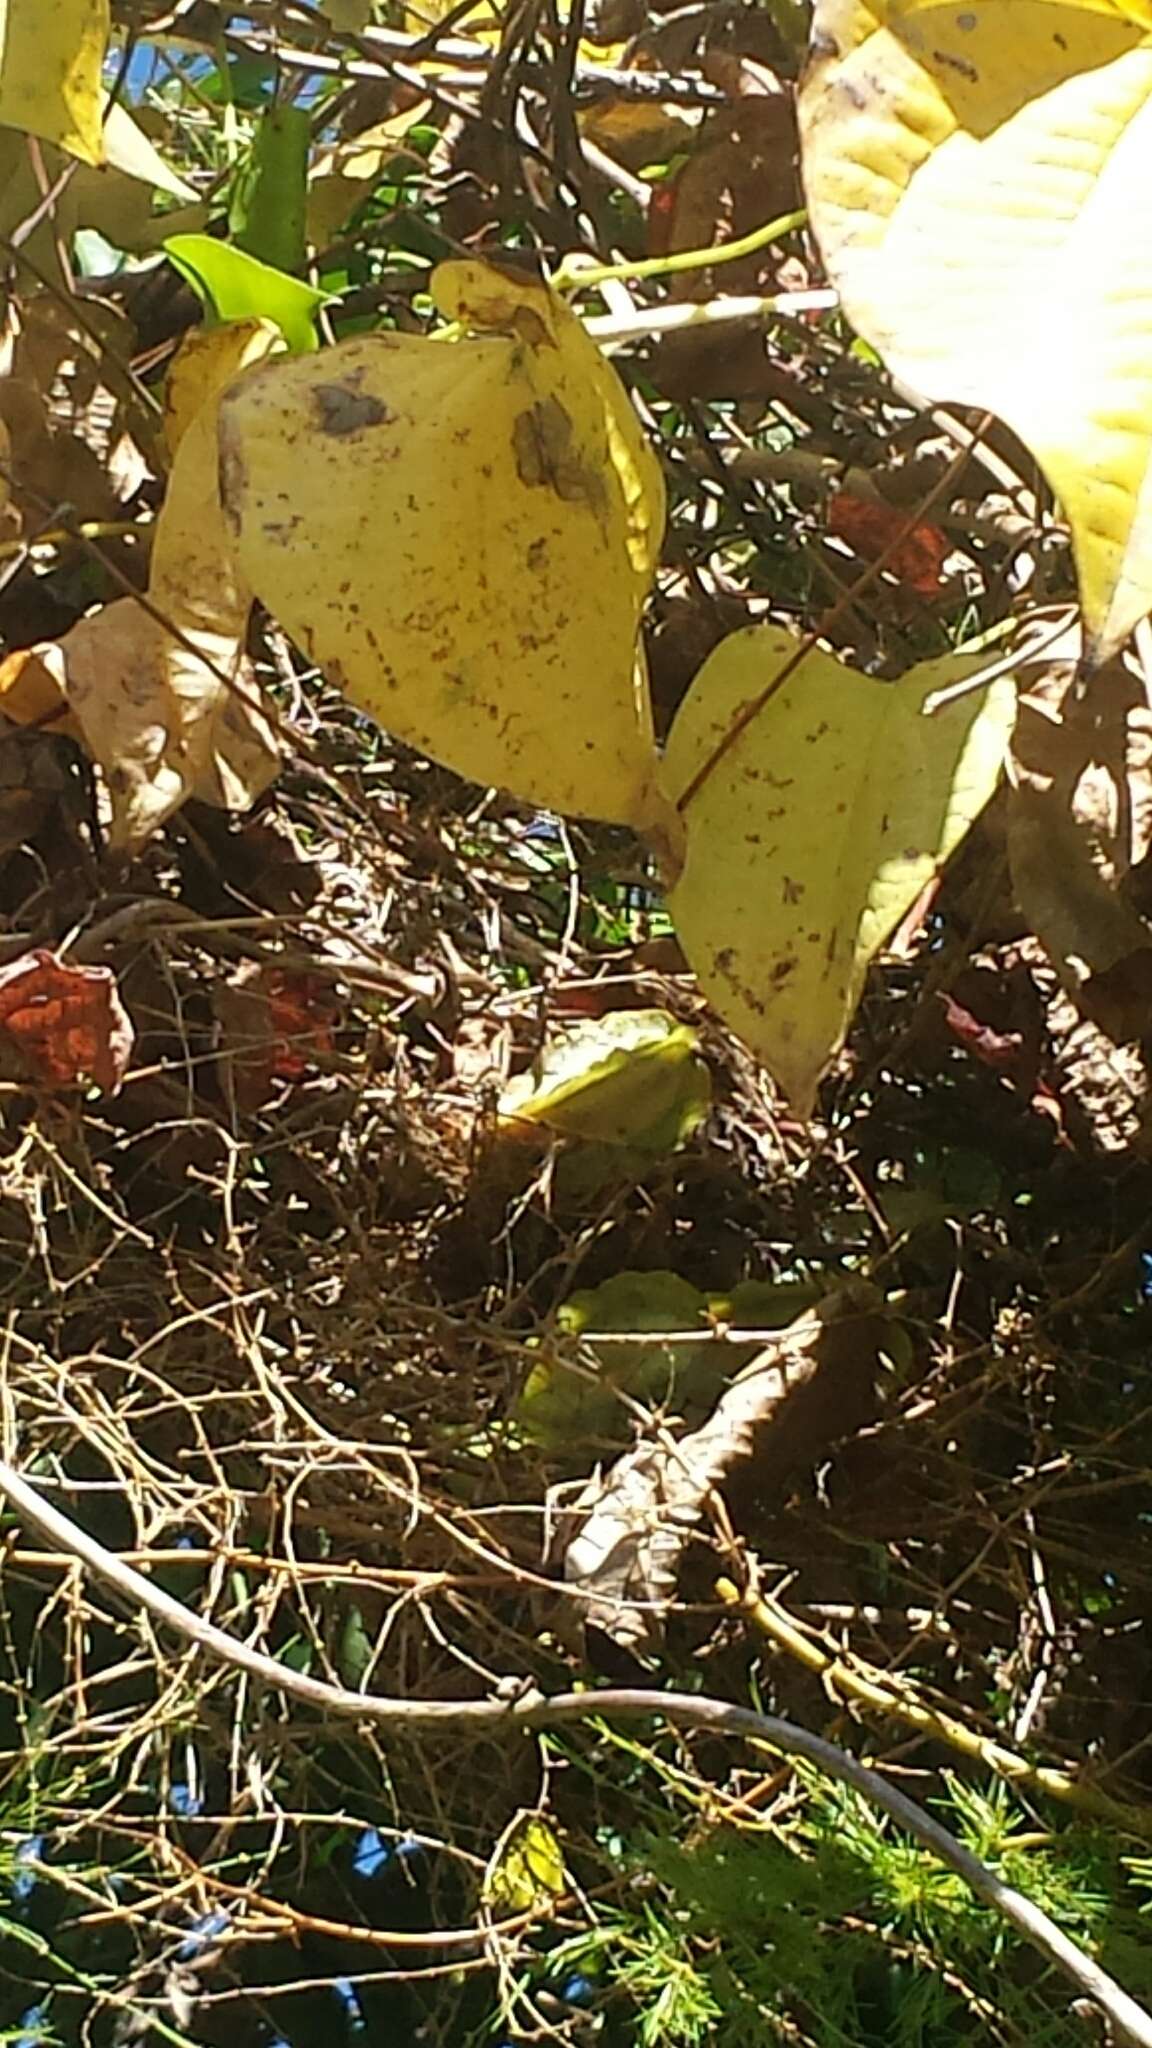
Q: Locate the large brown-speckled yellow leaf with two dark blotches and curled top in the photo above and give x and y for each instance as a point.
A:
(462, 536)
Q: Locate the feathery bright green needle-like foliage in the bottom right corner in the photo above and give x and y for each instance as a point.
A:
(837, 1932)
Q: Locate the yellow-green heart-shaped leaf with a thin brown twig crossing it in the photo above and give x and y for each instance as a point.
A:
(817, 830)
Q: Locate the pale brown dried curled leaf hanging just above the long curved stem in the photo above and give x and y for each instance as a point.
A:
(634, 1525)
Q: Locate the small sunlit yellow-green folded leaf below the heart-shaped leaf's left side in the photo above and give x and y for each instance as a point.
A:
(630, 1078)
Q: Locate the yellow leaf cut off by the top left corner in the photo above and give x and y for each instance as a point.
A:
(50, 73)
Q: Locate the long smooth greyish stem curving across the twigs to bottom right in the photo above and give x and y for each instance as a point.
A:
(1133, 2024)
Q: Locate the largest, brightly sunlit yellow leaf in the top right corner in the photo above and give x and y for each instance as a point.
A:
(977, 177)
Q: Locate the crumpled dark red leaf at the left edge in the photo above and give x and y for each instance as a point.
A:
(65, 1025)
